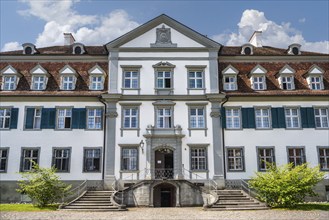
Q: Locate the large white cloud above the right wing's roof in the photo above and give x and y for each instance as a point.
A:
(276, 35)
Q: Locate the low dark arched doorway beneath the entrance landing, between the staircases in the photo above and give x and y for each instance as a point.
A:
(164, 195)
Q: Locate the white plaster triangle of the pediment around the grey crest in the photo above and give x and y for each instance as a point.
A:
(149, 37)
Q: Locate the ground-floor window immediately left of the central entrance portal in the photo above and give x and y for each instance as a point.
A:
(129, 159)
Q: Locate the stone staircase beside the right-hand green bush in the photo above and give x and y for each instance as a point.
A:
(235, 200)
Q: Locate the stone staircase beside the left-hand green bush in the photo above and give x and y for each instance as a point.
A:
(96, 201)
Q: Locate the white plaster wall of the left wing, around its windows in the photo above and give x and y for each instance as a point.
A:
(46, 139)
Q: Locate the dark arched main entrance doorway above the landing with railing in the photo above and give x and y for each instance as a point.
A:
(164, 164)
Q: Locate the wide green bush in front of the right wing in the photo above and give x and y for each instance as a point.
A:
(285, 186)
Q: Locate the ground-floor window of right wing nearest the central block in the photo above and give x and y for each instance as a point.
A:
(235, 159)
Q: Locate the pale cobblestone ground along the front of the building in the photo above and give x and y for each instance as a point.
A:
(170, 213)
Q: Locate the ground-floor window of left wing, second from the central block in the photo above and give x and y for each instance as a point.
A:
(61, 159)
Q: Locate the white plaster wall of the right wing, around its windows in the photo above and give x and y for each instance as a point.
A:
(308, 138)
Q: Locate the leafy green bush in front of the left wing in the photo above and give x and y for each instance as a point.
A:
(42, 185)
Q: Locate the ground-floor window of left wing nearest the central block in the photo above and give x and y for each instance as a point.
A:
(92, 160)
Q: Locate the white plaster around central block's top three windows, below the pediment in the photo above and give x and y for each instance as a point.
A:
(147, 76)
